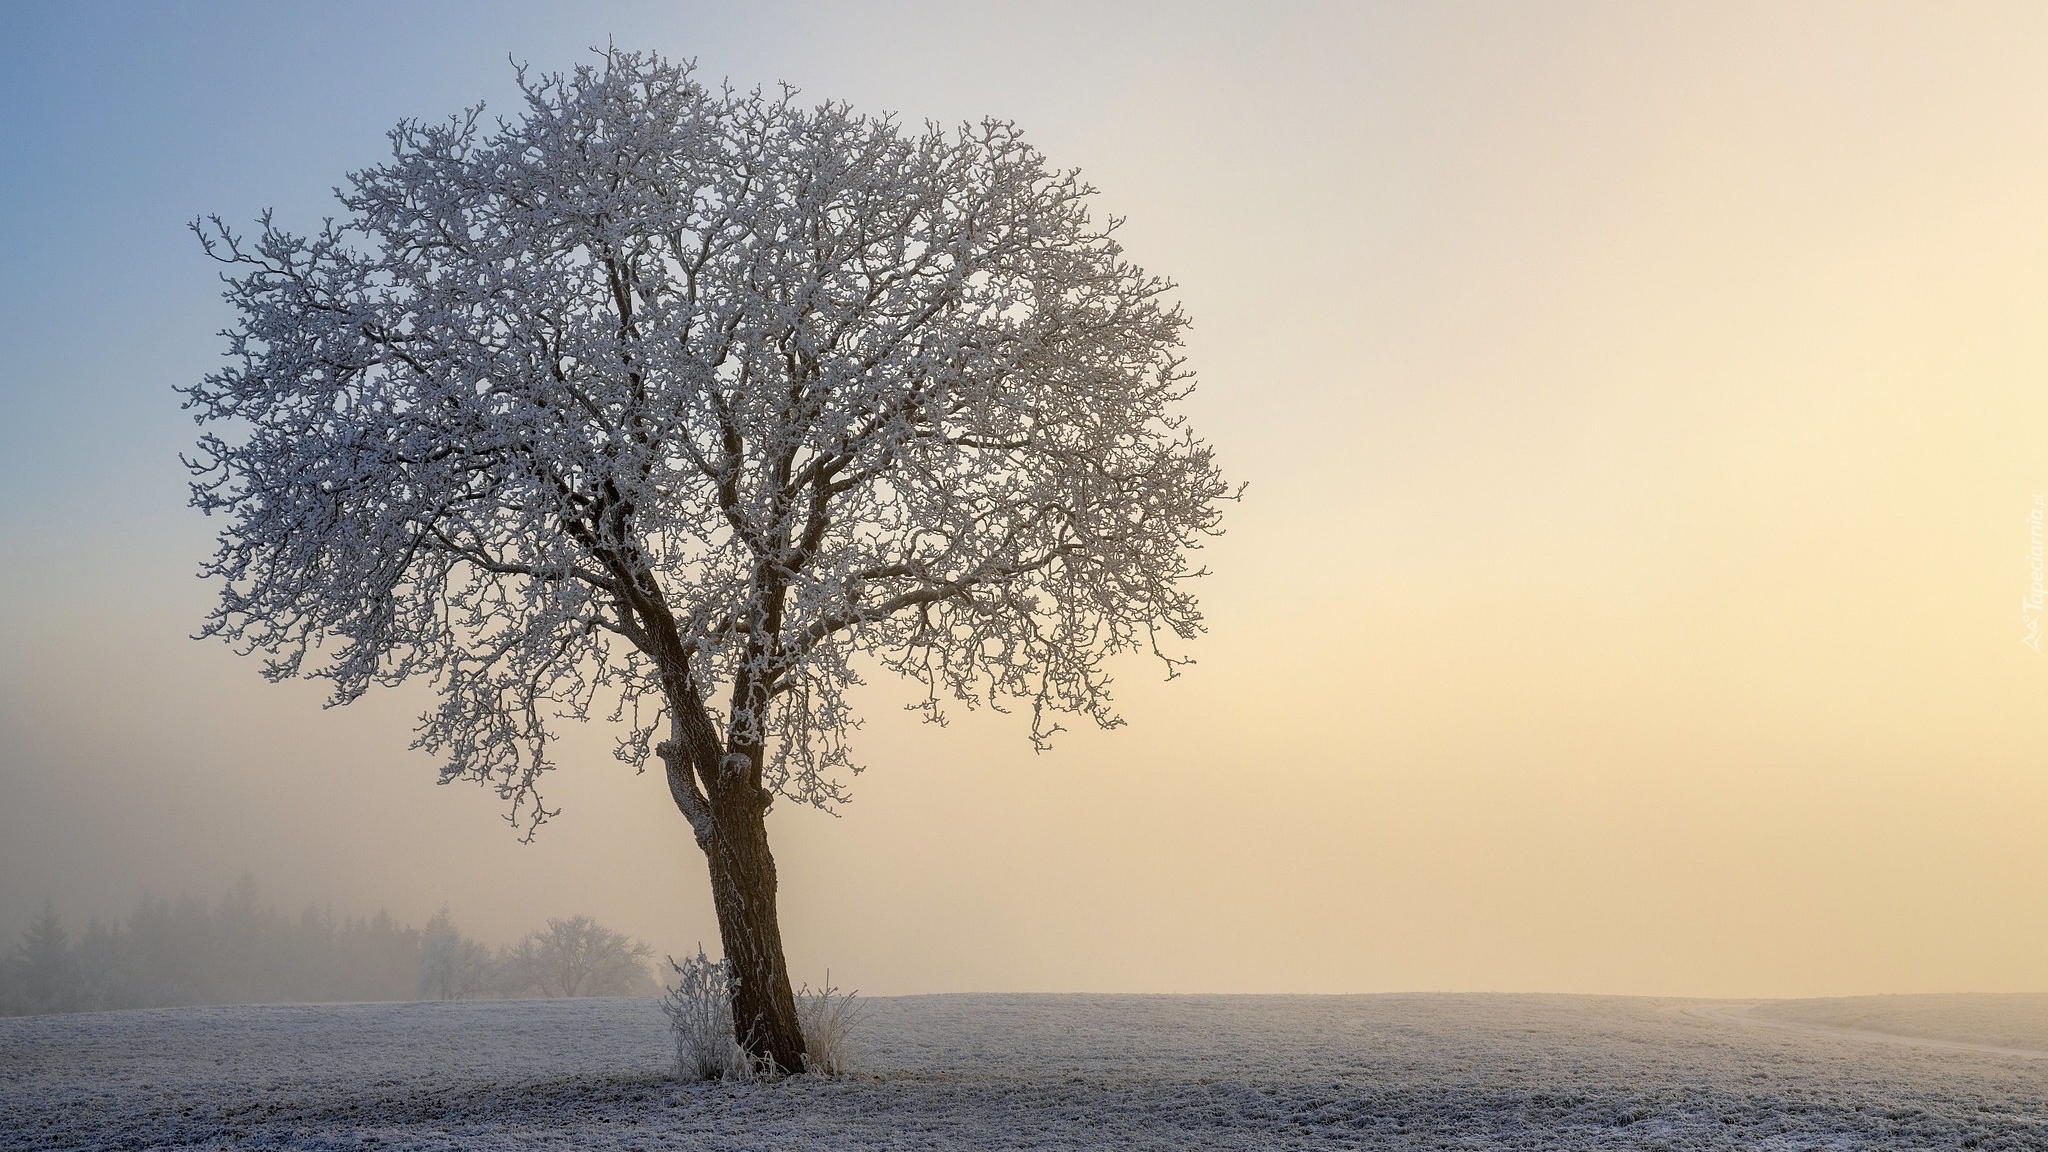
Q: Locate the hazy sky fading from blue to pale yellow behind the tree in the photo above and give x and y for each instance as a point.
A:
(1641, 409)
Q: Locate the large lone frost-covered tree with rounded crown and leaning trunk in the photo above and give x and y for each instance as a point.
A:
(679, 407)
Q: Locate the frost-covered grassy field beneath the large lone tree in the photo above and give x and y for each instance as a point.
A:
(1021, 1073)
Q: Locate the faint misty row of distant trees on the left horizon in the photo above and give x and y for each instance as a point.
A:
(241, 952)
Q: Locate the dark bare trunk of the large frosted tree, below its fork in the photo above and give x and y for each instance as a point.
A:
(742, 891)
